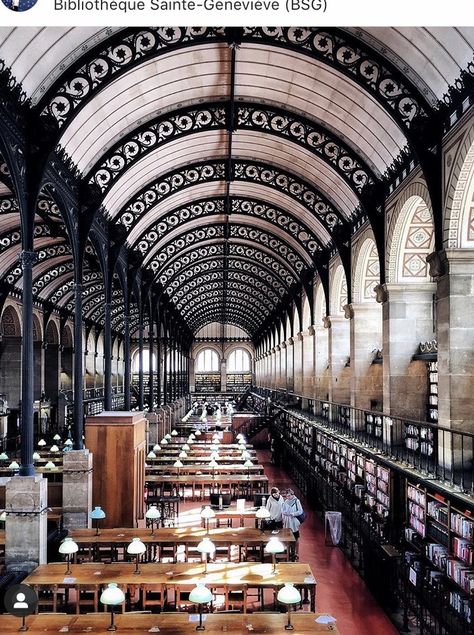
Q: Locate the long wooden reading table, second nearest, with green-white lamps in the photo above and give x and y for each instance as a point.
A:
(164, 577)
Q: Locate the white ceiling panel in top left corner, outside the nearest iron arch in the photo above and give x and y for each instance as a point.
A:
(37, 55)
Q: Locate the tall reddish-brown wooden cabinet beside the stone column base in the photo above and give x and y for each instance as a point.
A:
(117, 440)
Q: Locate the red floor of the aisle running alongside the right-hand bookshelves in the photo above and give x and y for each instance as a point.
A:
(341, 591)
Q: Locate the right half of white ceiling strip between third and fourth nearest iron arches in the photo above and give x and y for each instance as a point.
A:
(284, 202)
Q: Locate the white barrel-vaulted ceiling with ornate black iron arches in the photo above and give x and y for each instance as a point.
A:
(233, 162)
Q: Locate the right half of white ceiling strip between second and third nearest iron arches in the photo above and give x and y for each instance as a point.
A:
(298, 161)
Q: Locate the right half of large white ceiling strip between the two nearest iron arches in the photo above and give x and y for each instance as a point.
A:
(321, 93)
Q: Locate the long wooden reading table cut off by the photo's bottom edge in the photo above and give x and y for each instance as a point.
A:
(169, 624)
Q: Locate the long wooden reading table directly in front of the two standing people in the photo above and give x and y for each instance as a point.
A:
(118, 539)
